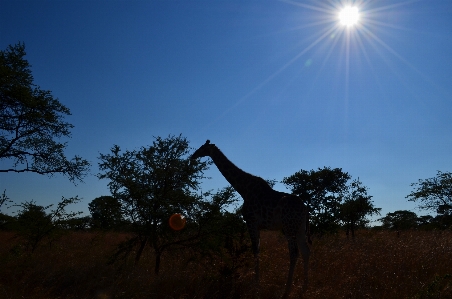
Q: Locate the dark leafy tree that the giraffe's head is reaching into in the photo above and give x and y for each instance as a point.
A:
(151, 184)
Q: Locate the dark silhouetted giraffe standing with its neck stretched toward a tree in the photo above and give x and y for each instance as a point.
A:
(265, 208)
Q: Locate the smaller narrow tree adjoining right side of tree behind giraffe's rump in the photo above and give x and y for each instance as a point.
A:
(356, 206)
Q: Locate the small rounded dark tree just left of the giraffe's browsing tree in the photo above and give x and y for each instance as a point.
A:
(105, 212)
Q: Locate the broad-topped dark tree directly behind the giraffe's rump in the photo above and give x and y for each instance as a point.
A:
(323, 191)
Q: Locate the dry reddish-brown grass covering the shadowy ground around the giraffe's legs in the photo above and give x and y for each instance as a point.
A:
(374, 265)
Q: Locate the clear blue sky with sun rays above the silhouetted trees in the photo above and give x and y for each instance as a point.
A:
(278, 86)
